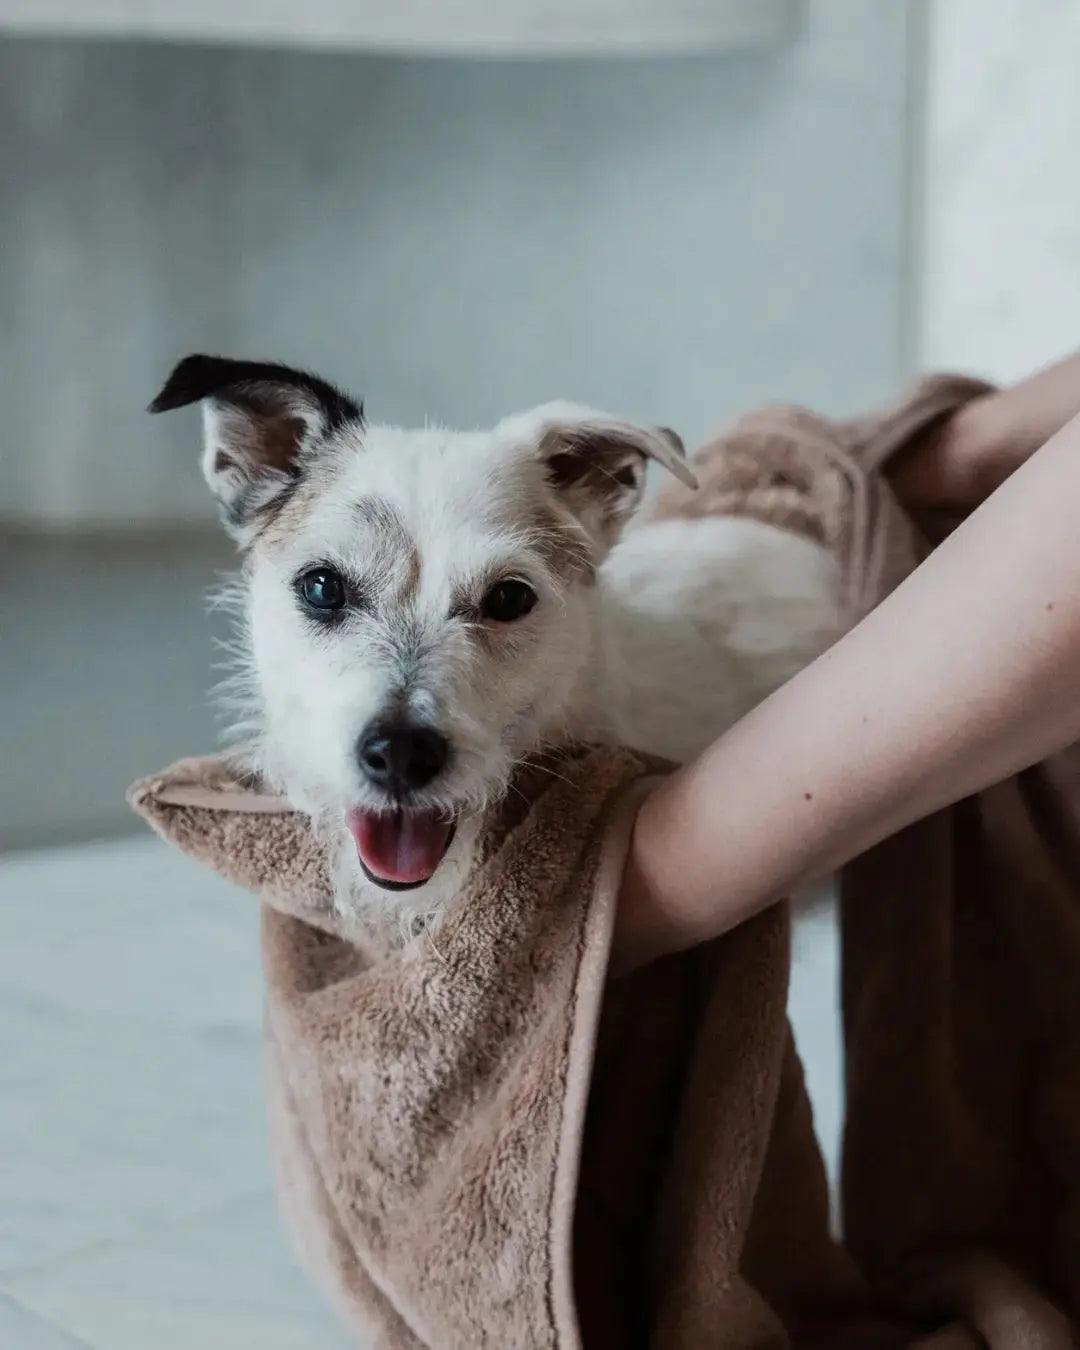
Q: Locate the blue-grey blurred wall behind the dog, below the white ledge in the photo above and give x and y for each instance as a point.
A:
(673, 240)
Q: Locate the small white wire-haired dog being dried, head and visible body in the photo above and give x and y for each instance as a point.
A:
(425, 611)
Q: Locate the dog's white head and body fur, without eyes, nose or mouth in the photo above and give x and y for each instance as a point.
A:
(688, 626)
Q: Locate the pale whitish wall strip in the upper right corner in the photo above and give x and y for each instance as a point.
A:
(1001, 202)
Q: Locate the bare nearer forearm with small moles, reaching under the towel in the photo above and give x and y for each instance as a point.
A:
(966, 674)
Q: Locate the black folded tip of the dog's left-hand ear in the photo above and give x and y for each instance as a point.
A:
(241, 383)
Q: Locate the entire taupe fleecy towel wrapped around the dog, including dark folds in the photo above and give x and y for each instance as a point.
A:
(481, 1141)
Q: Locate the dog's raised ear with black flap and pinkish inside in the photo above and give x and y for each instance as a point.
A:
(260, 422)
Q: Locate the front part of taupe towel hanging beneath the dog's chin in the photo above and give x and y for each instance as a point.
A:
(477, 1148)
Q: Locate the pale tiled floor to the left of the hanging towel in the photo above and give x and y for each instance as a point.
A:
(136, 1205)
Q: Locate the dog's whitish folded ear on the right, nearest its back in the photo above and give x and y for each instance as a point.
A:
(600, 461)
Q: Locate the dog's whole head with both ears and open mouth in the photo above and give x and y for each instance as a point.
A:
(421, 605)
